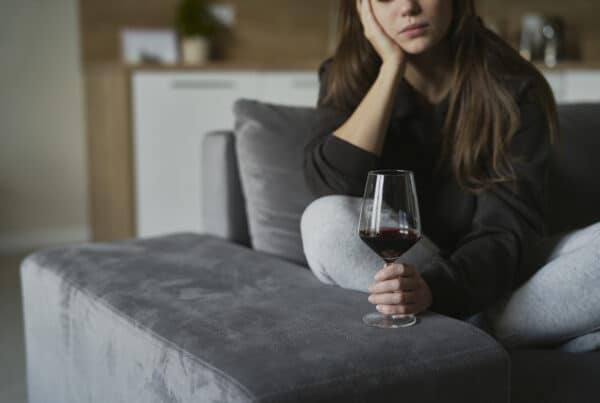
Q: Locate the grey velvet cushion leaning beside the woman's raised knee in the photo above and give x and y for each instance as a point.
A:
(270, 140)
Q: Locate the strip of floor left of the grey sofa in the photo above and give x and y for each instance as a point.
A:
(12, 350)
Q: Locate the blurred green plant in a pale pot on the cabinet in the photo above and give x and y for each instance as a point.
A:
(196, 27)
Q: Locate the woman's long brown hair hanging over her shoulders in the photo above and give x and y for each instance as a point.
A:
(478, 129)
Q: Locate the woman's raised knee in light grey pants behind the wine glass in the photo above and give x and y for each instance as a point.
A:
(333, 249)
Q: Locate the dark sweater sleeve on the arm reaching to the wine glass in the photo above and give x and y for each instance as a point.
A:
(487, 263)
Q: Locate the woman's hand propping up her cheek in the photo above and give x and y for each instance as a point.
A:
(388, 50)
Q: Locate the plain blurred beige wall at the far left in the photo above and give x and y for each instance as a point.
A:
(42, 143)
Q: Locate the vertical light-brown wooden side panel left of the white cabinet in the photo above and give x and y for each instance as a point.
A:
(109, 144)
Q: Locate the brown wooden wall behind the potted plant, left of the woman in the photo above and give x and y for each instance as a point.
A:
(264, 29)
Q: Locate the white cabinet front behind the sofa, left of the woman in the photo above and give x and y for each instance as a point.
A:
(172, 111)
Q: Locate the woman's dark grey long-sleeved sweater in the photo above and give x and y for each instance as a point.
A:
(482, 237)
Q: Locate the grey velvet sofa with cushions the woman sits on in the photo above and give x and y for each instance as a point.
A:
(234, 314)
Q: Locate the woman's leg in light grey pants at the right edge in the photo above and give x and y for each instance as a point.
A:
(560, 301)
